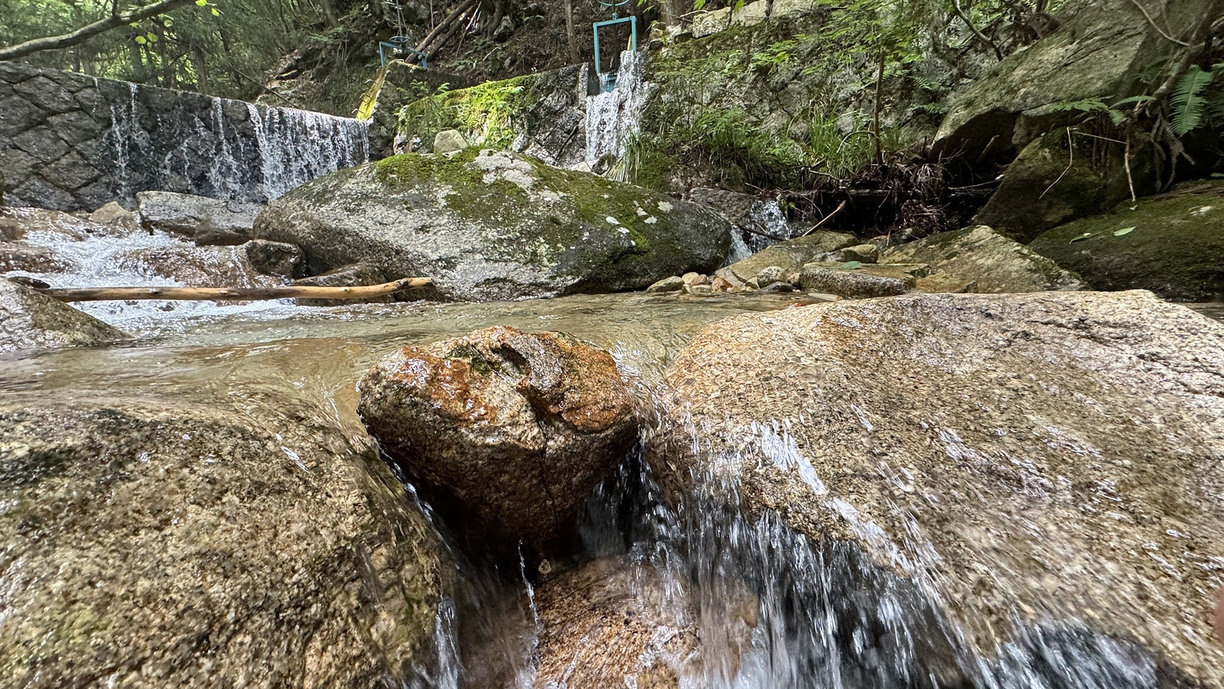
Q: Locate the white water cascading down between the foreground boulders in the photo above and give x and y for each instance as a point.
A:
(773, 610)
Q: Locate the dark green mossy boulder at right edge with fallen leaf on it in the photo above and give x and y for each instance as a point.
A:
(1176, 249)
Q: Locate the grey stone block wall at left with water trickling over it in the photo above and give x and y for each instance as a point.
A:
(72, 143)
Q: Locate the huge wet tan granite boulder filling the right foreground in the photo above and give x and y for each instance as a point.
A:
(1046, 467)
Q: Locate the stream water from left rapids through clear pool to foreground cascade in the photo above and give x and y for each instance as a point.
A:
(772, 610)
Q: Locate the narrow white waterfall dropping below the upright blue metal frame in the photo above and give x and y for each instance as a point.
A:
(615, 117)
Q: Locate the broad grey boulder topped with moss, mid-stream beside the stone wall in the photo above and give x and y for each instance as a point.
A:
(496, 226)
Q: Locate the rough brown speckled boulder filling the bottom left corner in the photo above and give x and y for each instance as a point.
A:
(167, 545)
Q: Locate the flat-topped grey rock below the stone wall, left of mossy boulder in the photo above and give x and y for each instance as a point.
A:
(187, 215)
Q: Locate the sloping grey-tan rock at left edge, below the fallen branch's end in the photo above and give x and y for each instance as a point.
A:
(30, 320)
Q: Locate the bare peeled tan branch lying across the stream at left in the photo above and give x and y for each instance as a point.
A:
(232, 294)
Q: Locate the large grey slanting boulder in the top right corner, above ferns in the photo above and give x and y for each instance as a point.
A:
(1103, 51)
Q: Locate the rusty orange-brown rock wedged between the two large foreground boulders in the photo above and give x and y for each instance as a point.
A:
(517, 428)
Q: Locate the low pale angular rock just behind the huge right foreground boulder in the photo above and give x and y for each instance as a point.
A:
(983, 261)
